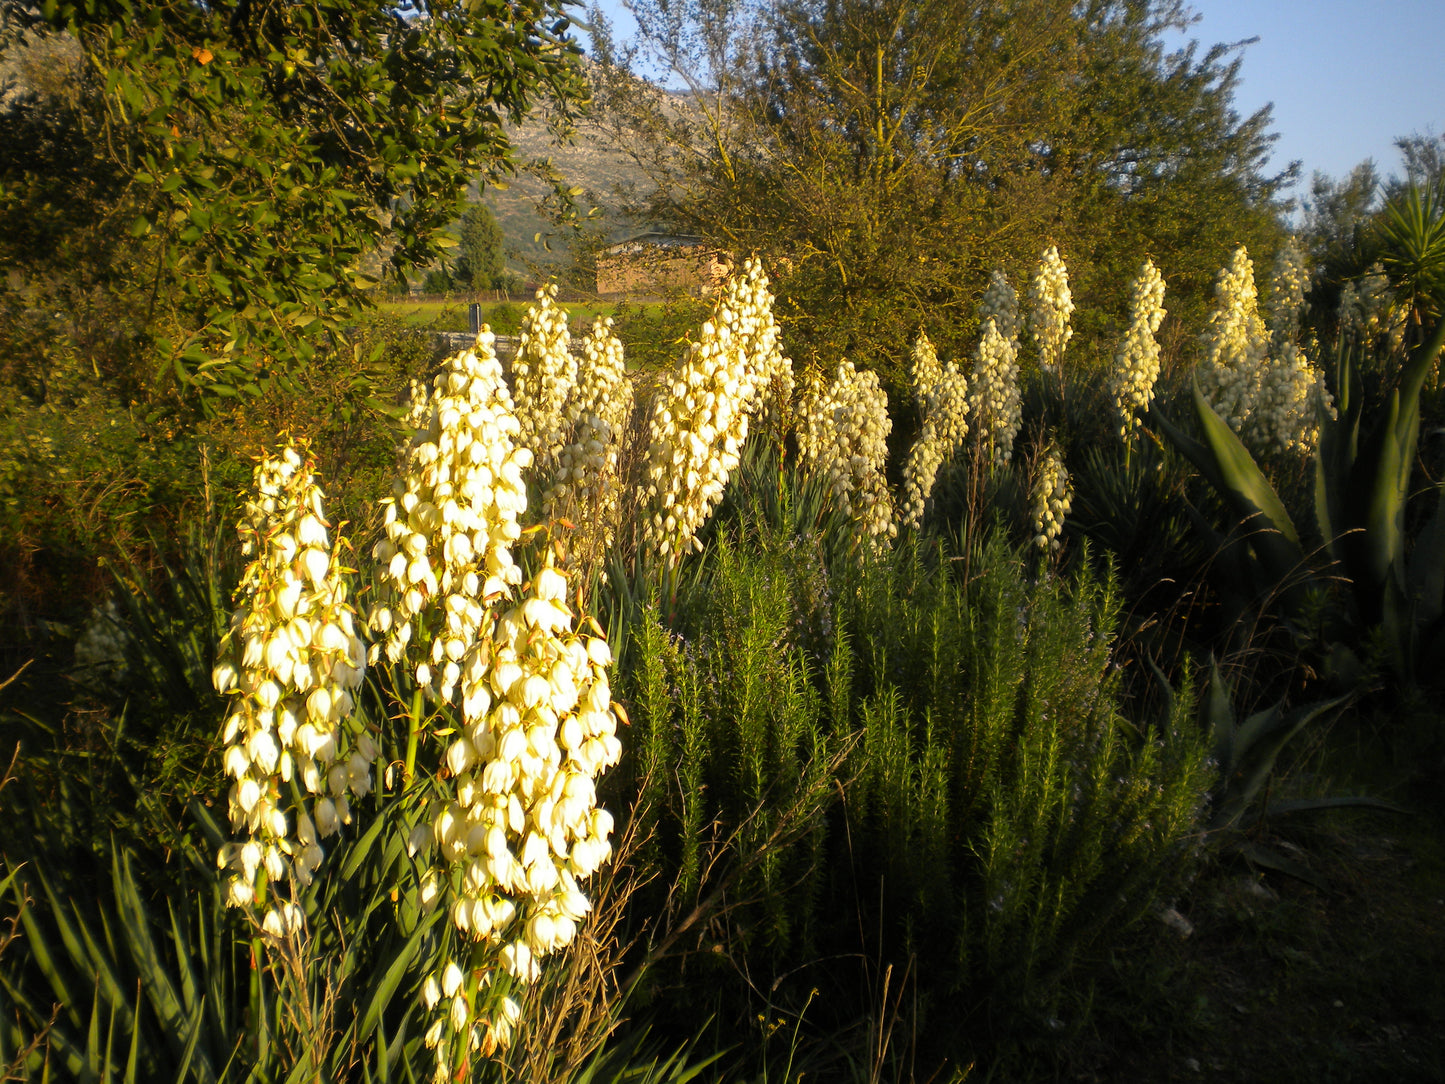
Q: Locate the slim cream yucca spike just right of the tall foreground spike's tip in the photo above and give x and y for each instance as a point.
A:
(544, 374)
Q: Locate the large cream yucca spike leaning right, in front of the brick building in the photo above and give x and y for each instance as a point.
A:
(697, 431)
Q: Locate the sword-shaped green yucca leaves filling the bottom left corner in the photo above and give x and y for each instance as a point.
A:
(158, 981)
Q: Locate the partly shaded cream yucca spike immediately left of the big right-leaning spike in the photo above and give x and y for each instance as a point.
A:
(586, 482)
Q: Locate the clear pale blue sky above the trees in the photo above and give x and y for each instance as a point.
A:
(1347, 77)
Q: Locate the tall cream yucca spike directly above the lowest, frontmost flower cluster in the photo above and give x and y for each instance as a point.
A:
(450, 527)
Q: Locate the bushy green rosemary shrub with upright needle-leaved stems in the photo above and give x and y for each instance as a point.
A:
(992, 813)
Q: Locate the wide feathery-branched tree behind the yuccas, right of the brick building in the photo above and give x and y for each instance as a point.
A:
(888, 155)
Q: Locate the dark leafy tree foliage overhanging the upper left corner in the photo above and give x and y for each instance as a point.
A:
(216, 187)
